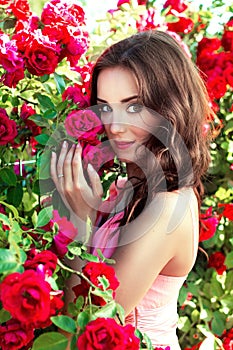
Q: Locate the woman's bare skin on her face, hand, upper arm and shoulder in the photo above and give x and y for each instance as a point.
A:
(146, 248)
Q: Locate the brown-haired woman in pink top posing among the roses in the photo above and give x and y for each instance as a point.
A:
(153, 105)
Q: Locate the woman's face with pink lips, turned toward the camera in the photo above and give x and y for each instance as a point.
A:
(127, 122)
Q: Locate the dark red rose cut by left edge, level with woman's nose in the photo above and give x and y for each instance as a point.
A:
(7, 128)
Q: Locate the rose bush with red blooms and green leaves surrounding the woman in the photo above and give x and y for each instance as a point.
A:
(45, 67)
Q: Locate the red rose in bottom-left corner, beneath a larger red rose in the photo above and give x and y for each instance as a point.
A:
(14, 335)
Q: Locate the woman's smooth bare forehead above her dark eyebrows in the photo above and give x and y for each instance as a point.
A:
(116, 83)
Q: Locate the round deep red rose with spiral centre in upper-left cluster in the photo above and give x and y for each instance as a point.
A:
(41, 55)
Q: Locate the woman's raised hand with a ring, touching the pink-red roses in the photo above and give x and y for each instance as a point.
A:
(81, 199)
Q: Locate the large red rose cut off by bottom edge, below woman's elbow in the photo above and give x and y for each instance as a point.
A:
(105, 333)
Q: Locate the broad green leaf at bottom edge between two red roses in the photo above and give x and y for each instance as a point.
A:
(50, 341)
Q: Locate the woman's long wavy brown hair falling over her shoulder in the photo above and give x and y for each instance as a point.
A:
(170, 85)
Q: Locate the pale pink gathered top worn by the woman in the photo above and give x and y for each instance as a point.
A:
(156, 314)
